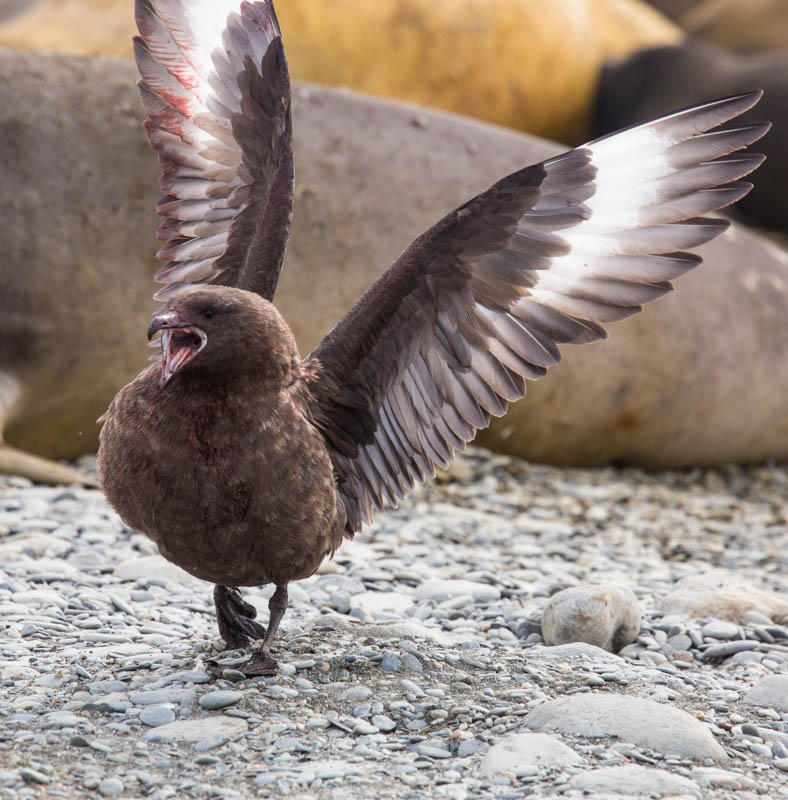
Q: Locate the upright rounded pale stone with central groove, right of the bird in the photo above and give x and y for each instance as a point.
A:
(604, 616)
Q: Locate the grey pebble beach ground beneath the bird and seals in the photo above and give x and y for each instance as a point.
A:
(413, 664)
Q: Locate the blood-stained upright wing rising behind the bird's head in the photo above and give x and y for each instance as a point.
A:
(216, 89)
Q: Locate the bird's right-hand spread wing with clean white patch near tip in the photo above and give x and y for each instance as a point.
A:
(479, 302)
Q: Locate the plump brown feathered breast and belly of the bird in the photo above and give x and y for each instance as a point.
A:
(236, 489)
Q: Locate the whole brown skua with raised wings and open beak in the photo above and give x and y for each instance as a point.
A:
(247, 464)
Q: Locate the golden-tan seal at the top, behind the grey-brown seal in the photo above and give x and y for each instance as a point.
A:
(529, 64)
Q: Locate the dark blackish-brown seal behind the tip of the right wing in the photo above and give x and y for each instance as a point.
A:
(658, 80)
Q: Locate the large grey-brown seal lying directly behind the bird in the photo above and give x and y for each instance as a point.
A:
(698, 378)
